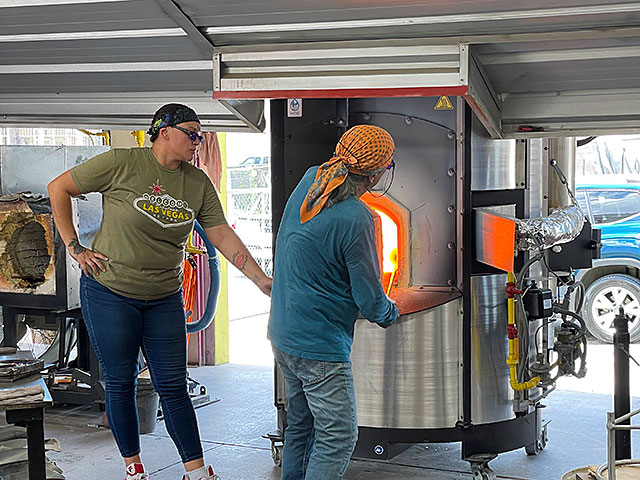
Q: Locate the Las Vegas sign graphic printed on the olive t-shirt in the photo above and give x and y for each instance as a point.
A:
(163, 209)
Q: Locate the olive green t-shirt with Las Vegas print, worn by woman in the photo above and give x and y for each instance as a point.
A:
(148, 213)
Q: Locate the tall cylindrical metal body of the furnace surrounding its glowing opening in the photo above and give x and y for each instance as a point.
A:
(453, 352)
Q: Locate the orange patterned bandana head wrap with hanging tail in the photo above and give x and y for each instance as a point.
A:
(363, 150)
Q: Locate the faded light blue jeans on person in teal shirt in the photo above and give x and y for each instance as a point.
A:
(321, 414)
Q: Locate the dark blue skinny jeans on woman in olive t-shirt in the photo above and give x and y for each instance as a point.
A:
(118, 327)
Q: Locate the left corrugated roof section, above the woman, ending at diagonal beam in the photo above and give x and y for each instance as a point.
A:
(85, 62)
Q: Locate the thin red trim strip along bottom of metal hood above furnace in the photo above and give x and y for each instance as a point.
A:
(343, 93)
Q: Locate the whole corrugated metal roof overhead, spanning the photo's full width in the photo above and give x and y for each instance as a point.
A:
(556, 51)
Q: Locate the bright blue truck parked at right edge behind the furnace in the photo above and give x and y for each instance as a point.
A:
(614, 279)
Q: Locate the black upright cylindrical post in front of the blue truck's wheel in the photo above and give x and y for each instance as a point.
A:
(622, 399)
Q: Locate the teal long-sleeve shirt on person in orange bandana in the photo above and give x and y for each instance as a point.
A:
(326, 271)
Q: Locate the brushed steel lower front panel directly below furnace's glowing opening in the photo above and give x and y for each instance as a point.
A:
(410, 375)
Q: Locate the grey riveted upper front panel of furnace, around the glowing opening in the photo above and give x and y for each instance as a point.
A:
(424, 181)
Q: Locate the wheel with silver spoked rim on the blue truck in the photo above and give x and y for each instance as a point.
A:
(603, 299)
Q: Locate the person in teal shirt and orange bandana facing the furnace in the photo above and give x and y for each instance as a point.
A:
(327, 273)
